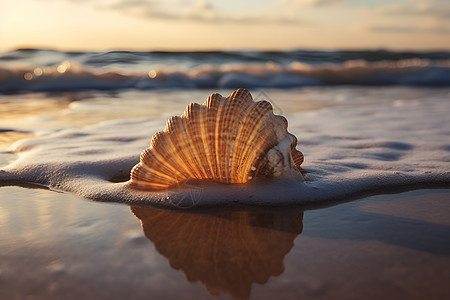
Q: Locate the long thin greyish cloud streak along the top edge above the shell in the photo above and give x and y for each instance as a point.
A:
(197, 11)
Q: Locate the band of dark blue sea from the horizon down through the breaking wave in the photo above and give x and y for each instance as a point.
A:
(50, 70)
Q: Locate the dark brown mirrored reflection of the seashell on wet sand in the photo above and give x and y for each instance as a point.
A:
(227, 252)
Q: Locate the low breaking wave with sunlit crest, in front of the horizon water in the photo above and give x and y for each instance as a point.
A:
(71, 75)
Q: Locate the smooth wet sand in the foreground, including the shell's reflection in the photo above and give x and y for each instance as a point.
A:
(56, 245)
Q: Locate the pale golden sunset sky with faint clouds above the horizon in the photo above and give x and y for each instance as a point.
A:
(225, 25)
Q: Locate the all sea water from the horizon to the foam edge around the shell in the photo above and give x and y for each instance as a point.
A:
(366, 120)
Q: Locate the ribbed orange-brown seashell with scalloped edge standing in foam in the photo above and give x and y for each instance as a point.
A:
(226, 140)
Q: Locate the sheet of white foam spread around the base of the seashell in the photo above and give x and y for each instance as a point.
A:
(347, 151)
